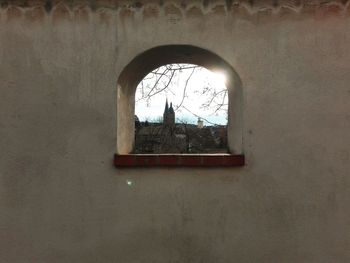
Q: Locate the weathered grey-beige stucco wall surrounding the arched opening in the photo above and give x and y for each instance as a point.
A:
(61, 199)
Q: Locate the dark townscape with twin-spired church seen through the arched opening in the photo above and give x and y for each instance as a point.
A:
(171, 137)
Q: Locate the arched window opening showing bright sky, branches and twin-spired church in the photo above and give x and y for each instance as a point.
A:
(181, 108)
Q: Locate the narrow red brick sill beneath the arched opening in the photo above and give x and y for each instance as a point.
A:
(178, 160)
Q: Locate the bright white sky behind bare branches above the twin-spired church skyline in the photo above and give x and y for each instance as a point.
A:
(200, 81)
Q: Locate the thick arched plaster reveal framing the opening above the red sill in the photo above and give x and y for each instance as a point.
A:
(153, 58)
